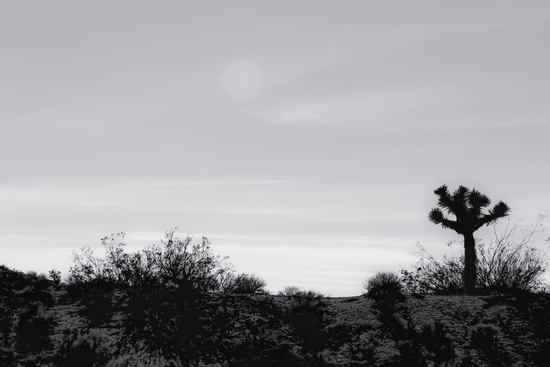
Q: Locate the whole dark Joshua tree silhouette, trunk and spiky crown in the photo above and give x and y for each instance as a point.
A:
(467, 208)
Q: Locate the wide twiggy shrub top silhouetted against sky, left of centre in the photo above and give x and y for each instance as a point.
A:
(174, 264)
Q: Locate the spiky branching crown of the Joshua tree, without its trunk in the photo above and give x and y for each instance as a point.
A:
(467, 206)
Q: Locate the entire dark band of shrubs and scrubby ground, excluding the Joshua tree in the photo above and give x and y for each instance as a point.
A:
(178, 304)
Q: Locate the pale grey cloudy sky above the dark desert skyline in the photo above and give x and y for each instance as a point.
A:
(303, 138)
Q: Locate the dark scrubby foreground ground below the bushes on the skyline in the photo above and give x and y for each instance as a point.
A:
(44, 324)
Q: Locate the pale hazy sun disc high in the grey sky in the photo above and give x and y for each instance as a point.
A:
(243, 80)
